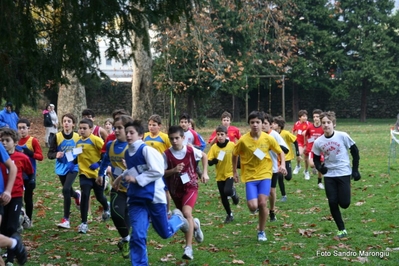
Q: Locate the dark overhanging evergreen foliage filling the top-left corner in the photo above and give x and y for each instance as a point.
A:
(44, 40)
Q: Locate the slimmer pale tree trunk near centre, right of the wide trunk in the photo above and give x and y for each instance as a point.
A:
(142, 95)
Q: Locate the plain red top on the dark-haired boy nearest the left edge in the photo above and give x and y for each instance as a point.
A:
(23, 165)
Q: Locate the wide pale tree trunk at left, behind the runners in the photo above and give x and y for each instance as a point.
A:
(71, 98)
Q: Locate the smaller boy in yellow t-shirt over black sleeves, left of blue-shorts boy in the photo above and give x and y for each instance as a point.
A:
(220, 154)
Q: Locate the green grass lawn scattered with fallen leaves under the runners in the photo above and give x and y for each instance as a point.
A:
(303, 231)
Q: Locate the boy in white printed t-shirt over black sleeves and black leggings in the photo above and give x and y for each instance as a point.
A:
(337, 170)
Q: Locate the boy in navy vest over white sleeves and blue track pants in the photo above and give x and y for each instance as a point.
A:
(146, 196)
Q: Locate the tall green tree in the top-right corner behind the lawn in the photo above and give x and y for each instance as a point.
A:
(366, 48)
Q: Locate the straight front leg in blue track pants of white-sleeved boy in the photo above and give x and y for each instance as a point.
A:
(139, 221)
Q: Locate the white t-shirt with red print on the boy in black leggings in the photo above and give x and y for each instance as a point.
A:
(335, 151)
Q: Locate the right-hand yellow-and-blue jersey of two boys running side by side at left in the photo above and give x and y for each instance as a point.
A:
(91, 153)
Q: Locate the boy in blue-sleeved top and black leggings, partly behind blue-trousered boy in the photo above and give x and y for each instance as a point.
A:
(114, 155)
